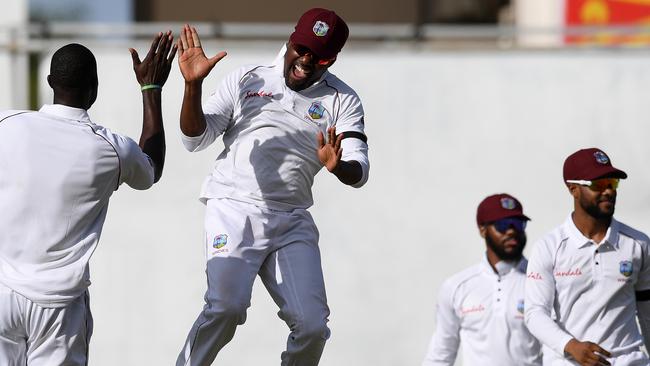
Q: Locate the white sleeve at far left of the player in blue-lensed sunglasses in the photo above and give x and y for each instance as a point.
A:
(444, 343)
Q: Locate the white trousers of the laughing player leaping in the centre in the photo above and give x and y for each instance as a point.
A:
(242, 242)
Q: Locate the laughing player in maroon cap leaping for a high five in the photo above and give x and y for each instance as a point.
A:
(281, 123)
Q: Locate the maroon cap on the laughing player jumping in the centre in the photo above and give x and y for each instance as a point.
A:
(322, 31)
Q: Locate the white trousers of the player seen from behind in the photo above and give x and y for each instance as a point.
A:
(38, 336)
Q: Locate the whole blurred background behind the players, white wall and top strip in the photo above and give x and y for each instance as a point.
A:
(463, 99)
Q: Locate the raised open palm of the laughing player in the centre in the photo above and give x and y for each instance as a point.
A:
(193, 62)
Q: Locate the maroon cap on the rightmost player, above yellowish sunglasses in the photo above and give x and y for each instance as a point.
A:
(590, 164)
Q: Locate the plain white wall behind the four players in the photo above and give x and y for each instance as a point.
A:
(445, 129)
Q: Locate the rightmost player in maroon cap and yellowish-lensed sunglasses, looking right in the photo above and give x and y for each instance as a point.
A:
(588, 278)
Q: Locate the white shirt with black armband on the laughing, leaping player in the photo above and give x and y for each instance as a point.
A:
(270, 135)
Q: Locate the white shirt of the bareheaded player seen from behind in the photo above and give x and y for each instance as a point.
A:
(57, 172)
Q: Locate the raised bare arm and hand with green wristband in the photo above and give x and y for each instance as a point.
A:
(154, 69)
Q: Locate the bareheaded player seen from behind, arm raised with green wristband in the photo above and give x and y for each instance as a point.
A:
(57, 172)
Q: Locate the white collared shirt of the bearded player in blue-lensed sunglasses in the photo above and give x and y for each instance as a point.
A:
(484, 311)
